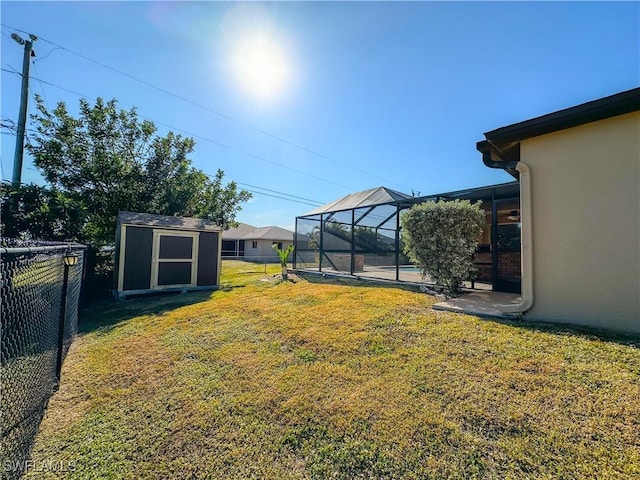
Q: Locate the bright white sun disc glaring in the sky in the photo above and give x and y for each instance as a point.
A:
(261, 67)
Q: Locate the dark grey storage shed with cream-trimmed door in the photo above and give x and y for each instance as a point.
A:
(160, 253)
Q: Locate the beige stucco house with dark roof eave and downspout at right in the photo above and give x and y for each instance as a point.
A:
(579, 172)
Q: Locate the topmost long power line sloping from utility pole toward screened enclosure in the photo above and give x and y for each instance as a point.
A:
(208, 109)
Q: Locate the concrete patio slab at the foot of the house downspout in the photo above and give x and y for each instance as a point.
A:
(482, 304)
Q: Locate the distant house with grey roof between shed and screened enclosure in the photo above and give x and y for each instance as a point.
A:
(255, 243)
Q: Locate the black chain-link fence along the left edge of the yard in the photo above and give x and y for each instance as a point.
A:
(40, 299)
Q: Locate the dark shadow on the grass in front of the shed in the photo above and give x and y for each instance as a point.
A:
(104, 315)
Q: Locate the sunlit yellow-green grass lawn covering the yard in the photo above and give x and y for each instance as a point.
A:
(265, 379)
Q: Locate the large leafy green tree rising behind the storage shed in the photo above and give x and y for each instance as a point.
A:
(108, 160)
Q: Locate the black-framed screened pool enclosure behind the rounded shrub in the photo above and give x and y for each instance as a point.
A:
(360, 235)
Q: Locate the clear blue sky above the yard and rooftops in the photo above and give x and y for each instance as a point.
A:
(374, 93)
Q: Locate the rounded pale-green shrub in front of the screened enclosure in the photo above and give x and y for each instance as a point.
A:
(441, 238)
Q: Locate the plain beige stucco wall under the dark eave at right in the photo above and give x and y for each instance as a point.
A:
(586, 223)
